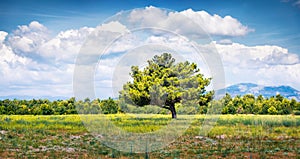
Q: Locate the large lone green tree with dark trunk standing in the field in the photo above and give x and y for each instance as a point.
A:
(163, 83)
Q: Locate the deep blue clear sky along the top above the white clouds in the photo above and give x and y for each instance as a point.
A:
(275, 21)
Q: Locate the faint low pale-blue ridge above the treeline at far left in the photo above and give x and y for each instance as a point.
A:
(24, 97)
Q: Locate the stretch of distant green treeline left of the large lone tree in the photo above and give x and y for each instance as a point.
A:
(58, 107)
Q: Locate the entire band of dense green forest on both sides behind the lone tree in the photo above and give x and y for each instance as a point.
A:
(247, 104)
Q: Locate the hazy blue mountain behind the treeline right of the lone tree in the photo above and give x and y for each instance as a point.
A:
(266, 91)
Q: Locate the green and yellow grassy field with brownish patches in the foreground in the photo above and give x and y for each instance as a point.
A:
(74, 136)
